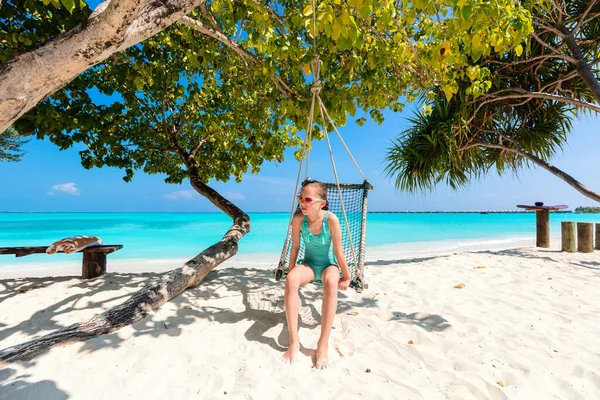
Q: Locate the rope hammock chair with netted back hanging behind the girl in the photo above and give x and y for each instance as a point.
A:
(350, 201)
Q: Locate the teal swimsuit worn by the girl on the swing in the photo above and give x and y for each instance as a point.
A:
(318, 253)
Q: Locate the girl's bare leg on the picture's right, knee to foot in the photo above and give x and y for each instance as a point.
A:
(330, 278)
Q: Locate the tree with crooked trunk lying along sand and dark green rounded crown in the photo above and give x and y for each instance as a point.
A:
(186, 118)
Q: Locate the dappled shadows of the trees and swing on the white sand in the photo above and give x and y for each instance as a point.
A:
(261, 296)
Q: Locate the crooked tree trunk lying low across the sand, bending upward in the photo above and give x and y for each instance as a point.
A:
(151, 297)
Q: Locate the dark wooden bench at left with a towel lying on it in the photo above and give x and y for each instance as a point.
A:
(94, 258)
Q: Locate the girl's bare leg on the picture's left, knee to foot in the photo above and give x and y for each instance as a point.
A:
(299, 275)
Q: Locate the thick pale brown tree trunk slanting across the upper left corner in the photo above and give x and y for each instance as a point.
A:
(115, 25)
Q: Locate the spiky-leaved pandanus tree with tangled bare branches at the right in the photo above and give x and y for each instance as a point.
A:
(522, 113)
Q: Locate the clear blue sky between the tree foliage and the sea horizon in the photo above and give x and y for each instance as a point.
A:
(49, 180)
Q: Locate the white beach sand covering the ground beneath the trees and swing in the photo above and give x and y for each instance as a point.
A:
(527, 326)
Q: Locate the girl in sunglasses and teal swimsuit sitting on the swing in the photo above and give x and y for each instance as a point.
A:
(319, 230)
